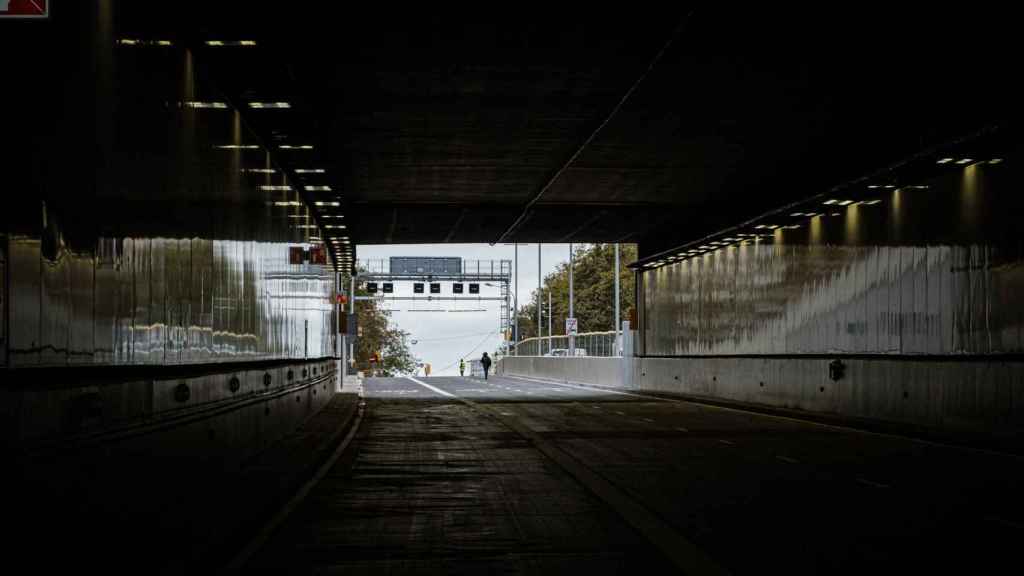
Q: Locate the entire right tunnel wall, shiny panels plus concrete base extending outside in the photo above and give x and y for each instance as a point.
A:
(916, 287)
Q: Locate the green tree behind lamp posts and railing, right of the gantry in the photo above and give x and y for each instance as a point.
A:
(593, 283)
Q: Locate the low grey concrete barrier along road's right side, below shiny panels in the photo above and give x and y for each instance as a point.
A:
(955, 396)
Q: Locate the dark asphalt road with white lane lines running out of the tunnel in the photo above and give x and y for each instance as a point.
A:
(511, 476)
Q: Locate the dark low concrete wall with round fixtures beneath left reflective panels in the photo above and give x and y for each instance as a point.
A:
(219, 413)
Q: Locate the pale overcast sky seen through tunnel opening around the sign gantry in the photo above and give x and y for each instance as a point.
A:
(443, 337)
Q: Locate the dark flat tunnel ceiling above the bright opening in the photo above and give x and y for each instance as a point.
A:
(492, 128)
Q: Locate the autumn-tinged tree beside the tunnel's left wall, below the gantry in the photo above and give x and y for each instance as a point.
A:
(377, 336)
